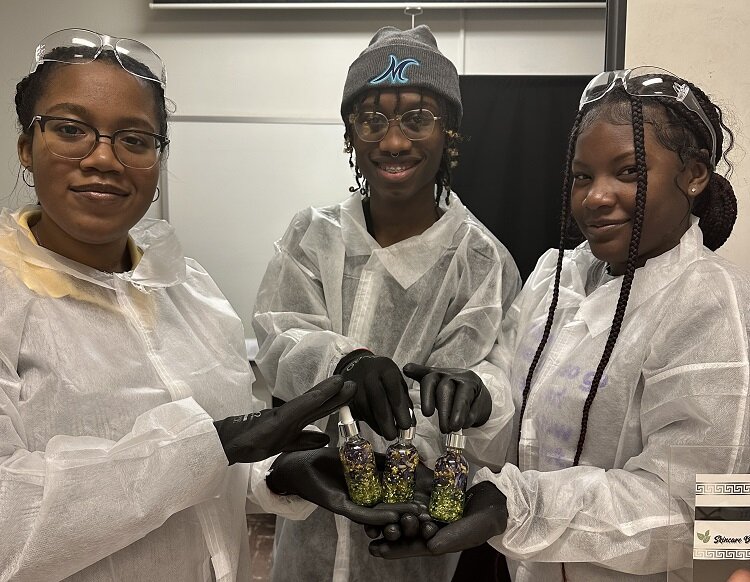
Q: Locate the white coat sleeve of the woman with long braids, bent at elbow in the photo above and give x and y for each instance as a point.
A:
(695, 392)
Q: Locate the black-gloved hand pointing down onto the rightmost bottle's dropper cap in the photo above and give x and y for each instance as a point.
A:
(461, 398)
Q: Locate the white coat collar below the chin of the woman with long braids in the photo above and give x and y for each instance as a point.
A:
(597, 310)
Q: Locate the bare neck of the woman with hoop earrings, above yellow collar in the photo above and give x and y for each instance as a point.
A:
(109, 257)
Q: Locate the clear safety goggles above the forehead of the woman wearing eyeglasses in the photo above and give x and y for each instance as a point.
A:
(81, 46)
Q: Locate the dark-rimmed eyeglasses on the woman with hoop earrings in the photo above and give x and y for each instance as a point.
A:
(75, 140)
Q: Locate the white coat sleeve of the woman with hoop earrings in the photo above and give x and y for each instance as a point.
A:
(84, 498)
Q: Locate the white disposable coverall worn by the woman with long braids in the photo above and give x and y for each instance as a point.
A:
(678, 375)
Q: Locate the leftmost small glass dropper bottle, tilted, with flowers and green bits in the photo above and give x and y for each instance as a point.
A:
(358, 461)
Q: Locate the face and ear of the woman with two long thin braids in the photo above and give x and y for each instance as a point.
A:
(604, 191)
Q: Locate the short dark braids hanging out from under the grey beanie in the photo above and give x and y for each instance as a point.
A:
(448, 160)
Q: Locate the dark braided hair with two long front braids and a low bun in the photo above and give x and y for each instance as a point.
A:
(678, 129)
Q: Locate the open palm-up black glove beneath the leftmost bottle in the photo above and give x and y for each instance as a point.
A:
(319, 477)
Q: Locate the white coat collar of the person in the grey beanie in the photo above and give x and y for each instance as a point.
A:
(409, 259)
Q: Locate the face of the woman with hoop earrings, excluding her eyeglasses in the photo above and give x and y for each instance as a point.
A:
(91, 204)
